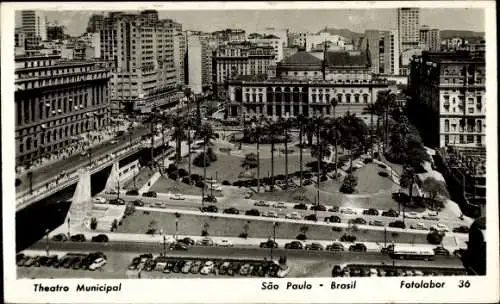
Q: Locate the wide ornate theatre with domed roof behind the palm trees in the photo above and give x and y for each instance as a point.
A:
(306, 83)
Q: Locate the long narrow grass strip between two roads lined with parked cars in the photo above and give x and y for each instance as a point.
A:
(231, 227)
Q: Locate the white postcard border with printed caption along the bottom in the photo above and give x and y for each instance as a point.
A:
(483, 289)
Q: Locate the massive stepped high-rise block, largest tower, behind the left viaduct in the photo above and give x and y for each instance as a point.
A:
(142, 49)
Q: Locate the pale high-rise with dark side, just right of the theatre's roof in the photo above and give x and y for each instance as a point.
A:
(384, 51)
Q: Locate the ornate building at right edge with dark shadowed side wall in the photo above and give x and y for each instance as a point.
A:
(450, 89)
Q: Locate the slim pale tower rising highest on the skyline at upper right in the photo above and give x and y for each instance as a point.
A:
(408, 28)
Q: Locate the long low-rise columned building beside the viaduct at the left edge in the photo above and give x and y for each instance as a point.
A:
(56, 101)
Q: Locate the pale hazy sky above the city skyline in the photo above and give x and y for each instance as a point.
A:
(356, 20)
